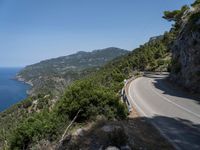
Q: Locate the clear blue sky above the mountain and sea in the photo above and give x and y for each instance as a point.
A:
(33, 30)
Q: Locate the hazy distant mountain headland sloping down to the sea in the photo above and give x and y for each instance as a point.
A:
(55, 74)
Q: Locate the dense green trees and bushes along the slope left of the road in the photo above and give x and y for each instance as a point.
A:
(97, 94)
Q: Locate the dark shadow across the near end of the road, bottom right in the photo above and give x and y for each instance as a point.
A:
(182, 132)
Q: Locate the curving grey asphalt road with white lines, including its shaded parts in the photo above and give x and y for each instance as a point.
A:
(172, 111)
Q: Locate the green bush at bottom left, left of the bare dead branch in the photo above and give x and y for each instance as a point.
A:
(33, 129)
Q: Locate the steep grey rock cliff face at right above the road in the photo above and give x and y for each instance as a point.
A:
(186, 52)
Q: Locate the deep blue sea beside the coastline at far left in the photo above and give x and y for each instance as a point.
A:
(11, 91)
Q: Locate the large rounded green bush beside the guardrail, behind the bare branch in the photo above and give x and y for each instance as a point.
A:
(93, 99)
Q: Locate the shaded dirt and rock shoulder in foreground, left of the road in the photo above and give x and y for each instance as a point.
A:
(135, 132)
